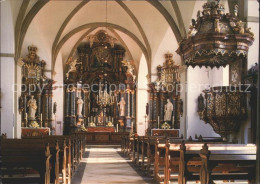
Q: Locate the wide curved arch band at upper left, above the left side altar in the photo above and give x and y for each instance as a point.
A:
(27, 21)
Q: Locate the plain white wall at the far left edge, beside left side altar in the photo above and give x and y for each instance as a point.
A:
(7, 71)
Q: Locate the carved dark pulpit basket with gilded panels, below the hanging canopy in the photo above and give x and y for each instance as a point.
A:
(223, 108)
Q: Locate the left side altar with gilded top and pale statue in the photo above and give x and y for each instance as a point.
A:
(35, 102)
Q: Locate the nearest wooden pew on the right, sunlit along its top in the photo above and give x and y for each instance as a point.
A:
(208, 162)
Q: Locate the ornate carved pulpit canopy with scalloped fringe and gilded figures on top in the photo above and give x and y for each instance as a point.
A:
(215, 38)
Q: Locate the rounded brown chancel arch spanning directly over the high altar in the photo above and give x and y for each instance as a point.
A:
(102, 24)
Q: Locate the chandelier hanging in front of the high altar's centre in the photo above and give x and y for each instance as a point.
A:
(104, 98)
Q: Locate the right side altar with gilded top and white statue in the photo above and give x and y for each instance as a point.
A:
(165, 104)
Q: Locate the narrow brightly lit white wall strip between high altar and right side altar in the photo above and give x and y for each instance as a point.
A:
(142, 98)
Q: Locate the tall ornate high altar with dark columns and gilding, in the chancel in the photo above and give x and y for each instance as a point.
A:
(100, 90)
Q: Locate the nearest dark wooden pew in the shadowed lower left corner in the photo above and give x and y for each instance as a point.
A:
(34, 158)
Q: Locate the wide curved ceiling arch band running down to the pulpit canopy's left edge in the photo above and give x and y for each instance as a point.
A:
(167, 17)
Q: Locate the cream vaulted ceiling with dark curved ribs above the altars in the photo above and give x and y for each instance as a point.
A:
(61, 25)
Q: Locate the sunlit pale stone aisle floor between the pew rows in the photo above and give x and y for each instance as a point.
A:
(104, 164)
